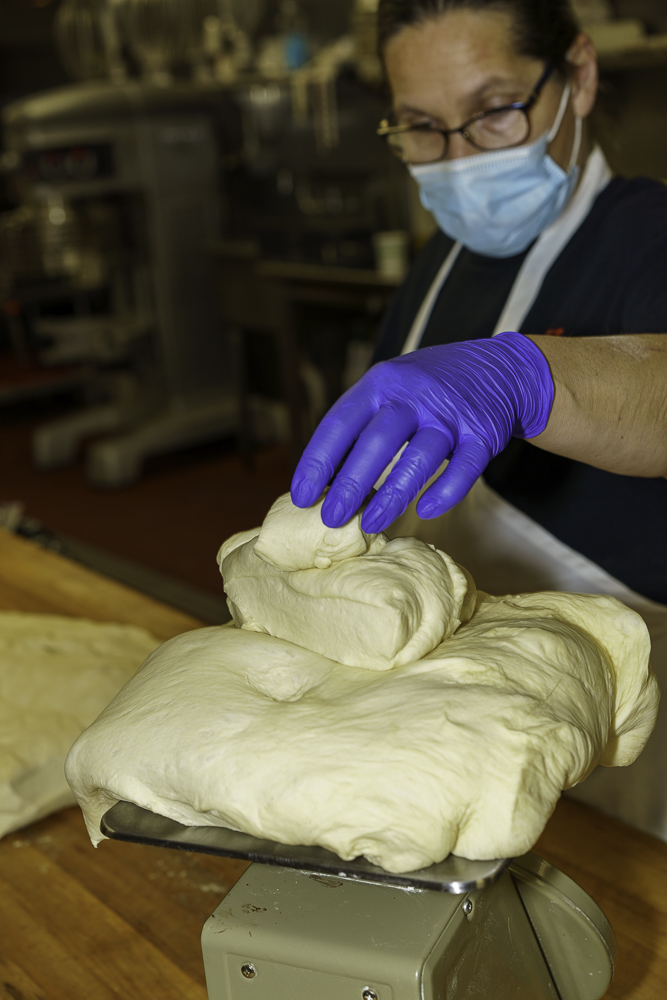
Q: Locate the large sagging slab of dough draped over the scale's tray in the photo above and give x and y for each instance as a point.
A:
(465, 750)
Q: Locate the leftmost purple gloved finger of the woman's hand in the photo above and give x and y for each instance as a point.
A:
(333, 438)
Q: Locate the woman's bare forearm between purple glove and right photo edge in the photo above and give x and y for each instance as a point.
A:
(610, 402)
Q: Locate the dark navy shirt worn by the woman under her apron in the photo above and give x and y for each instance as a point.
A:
(611, 278)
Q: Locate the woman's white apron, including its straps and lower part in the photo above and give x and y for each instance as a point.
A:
(507, 552)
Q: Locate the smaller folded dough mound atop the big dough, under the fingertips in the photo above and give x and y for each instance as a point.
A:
(355, 598)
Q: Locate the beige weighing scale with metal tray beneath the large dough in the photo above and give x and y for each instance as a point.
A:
(302, 924)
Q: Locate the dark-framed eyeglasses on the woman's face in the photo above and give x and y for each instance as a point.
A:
(498, 128)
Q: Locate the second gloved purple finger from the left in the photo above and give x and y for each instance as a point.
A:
(377, 444)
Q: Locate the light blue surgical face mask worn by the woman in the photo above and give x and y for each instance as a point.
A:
(498, 203)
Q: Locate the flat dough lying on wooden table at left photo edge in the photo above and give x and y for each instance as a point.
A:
(56, 675)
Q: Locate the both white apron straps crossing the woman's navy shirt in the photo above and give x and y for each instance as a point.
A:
(546, 249)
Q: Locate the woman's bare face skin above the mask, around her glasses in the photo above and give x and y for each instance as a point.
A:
(446, 69)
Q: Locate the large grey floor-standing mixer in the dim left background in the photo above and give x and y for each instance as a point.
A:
(147, 155)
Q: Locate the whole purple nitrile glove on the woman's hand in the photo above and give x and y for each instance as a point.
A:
(459, 401)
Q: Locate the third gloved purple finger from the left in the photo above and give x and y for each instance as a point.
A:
(422, 457)
